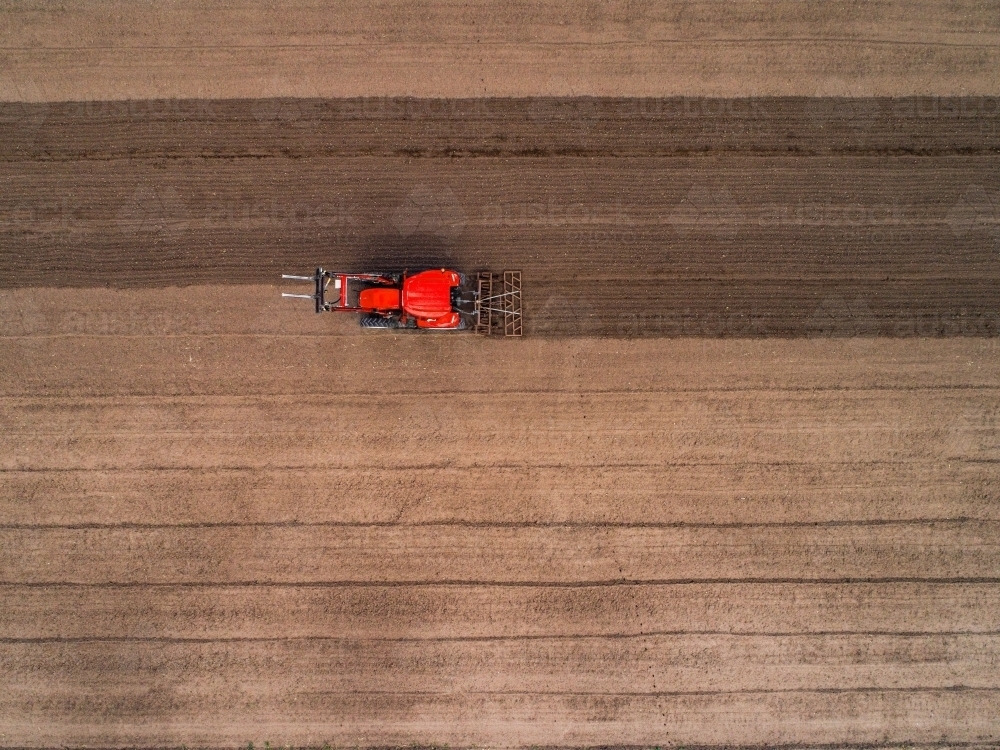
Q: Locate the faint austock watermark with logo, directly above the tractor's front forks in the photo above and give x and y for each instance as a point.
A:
(163, 210)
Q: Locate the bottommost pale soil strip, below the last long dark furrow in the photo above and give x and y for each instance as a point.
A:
(148, 715)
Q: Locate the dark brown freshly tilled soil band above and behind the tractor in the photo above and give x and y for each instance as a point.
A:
(795, 217)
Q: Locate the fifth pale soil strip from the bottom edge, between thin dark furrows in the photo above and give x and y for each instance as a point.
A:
(735, 494)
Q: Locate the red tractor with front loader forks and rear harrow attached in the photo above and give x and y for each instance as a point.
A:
(435, 300)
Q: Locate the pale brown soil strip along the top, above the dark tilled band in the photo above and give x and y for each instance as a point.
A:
(193, 49)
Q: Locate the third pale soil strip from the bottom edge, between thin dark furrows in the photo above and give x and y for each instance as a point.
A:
(464, 611)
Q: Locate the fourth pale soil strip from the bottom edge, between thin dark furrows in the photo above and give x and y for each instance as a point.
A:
(924, 551)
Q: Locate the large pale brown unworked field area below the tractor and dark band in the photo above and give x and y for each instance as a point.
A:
(230, 523)
